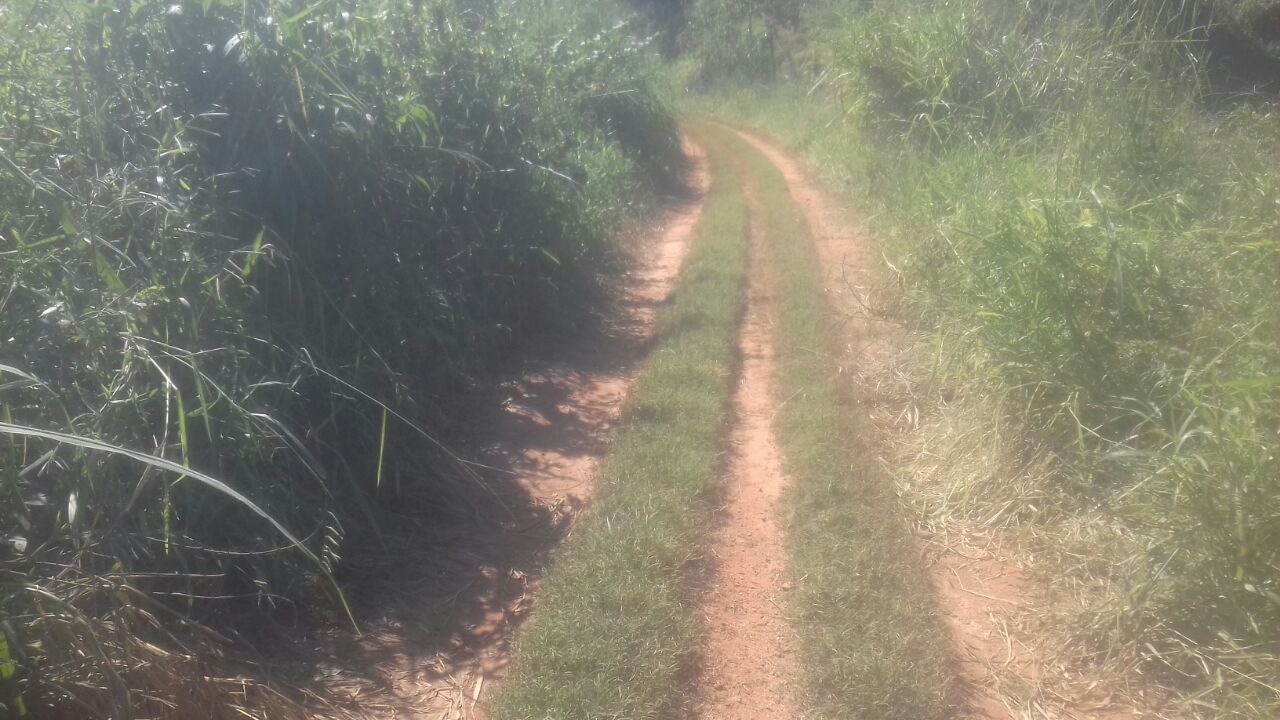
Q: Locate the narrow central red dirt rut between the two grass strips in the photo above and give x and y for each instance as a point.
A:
(747, 659)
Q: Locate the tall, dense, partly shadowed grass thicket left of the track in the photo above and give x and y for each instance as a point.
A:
(249, 250)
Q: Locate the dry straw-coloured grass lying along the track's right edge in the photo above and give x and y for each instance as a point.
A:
(985, 493)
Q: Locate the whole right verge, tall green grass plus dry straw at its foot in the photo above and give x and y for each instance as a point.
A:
(1077, 207)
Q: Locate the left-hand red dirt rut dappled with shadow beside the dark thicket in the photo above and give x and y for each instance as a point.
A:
(545, 446)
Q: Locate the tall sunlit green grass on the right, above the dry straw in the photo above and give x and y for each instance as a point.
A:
(1098, 247)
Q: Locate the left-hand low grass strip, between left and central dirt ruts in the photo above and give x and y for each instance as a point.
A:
(615, 623)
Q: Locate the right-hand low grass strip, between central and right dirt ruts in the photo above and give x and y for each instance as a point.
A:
(872, 642)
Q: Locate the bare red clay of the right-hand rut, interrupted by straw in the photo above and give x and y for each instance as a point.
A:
(980, 591)
